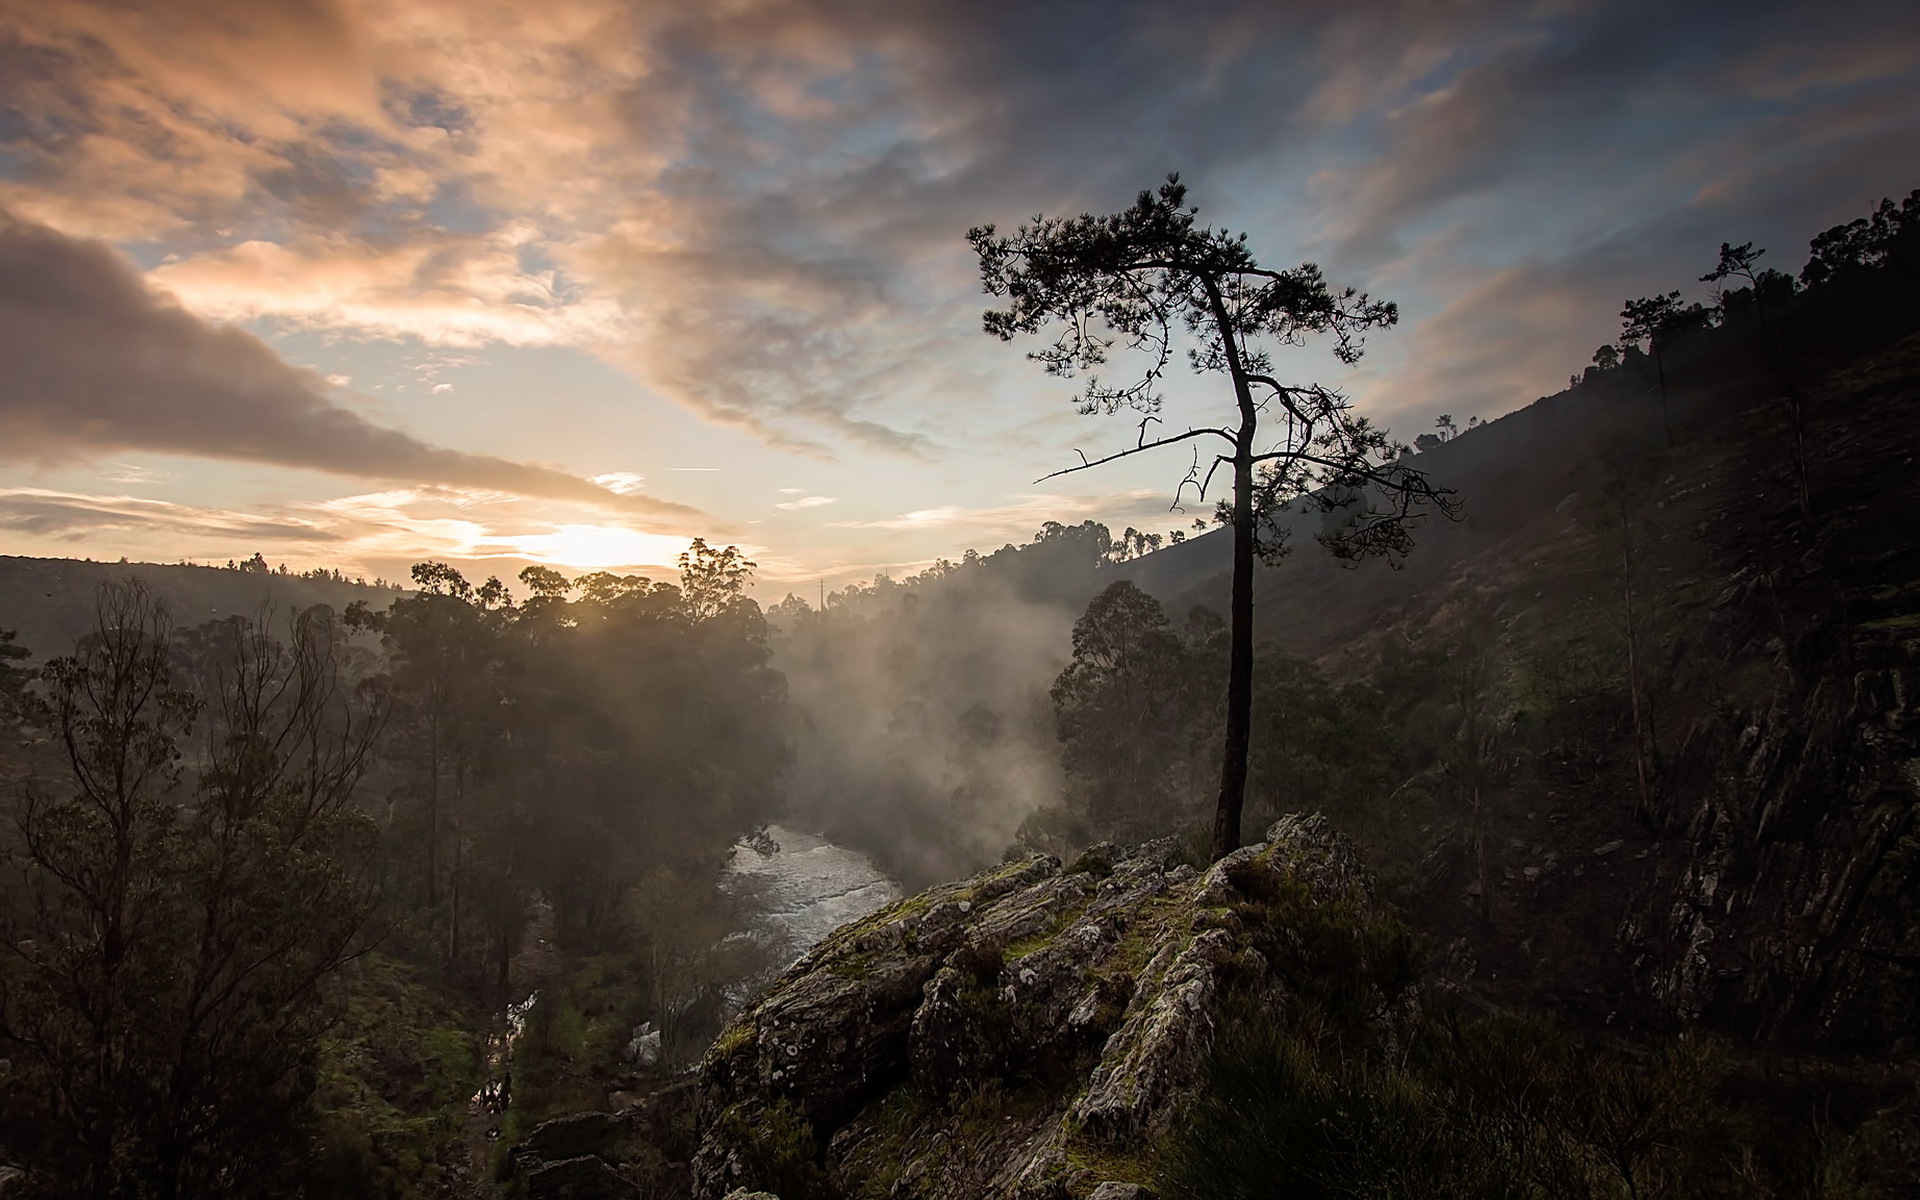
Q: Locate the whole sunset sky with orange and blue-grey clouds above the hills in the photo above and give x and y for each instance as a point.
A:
(573, 281)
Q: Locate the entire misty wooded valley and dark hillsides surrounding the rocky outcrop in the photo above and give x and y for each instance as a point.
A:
(1627, 744)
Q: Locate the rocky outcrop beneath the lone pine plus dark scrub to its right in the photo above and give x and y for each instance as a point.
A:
(1132, 1028)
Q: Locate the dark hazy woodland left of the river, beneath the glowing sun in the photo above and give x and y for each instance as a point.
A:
(218, 825)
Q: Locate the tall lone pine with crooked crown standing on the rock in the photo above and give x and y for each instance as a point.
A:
(1147, 279)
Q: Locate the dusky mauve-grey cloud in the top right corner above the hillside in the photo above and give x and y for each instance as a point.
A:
(1566, 120)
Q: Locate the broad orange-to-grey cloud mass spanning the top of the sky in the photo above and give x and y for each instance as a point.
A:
(756, 208)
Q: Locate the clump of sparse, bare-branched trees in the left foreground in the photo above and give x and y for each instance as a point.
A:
(162, 971)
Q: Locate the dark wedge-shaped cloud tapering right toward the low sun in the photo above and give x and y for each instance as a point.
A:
(97, 362)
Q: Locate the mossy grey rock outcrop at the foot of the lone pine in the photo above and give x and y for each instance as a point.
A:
(1028, 1032)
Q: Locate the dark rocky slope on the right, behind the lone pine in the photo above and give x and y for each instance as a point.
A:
(1767, 880)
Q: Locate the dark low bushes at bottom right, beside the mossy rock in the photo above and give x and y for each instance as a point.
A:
(1485, 1109)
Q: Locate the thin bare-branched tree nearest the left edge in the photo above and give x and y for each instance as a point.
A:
(89, 940)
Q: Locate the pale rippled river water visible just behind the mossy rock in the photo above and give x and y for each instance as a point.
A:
(811, 888)
